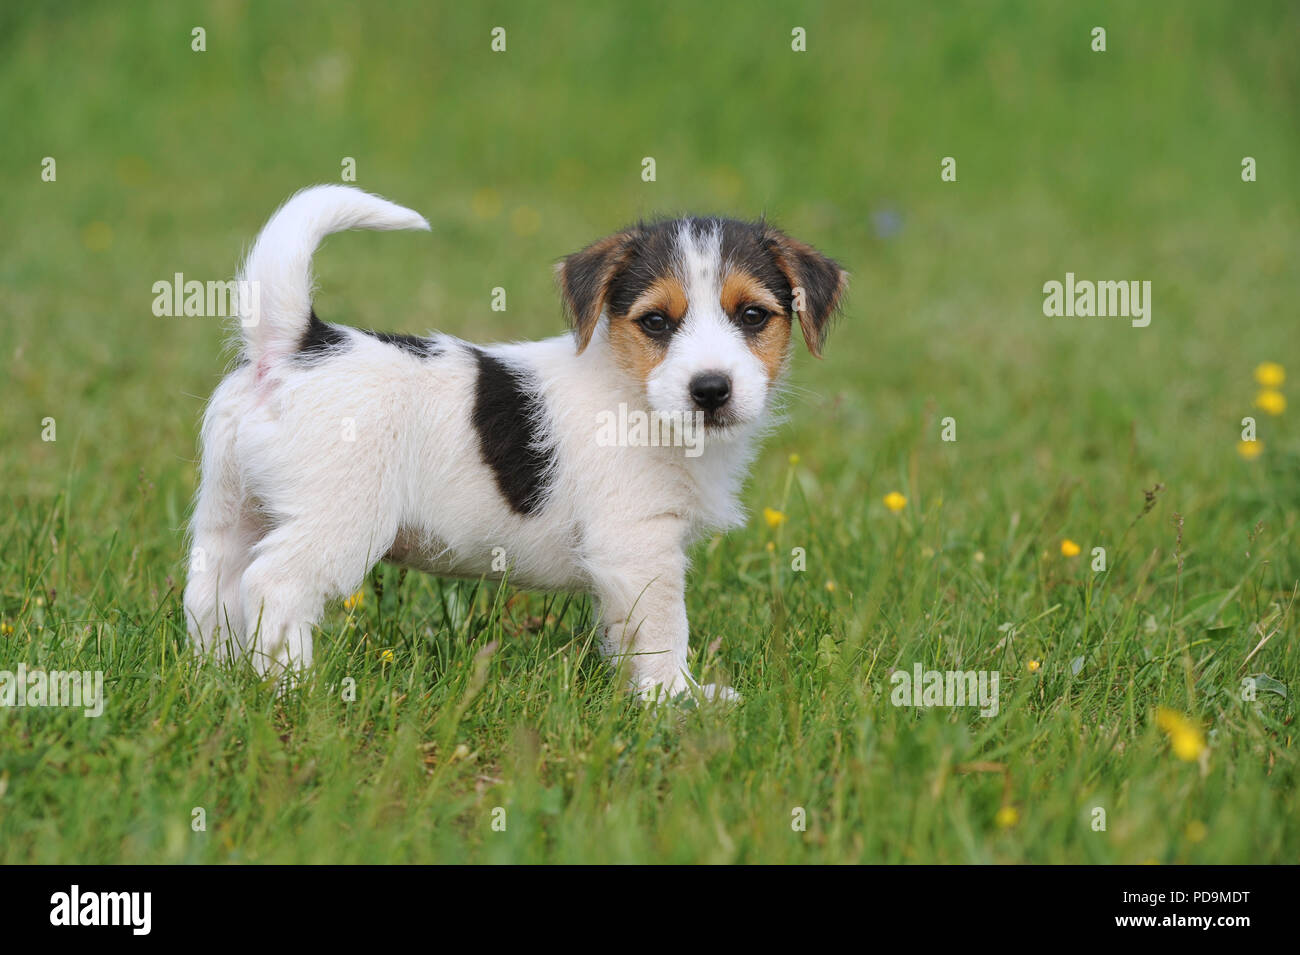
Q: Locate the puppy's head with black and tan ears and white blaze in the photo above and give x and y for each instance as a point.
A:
(701, 311)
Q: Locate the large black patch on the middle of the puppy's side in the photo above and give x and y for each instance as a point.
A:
(509, 418)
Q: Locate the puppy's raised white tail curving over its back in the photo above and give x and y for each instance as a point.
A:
(276, 283)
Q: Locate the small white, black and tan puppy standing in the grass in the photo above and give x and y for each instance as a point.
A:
(330, 449)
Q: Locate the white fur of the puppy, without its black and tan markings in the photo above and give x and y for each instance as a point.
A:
(292, 513)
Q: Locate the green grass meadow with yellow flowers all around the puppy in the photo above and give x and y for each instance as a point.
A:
(1124, 164)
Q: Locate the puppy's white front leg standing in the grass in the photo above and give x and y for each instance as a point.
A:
(640, 587)
